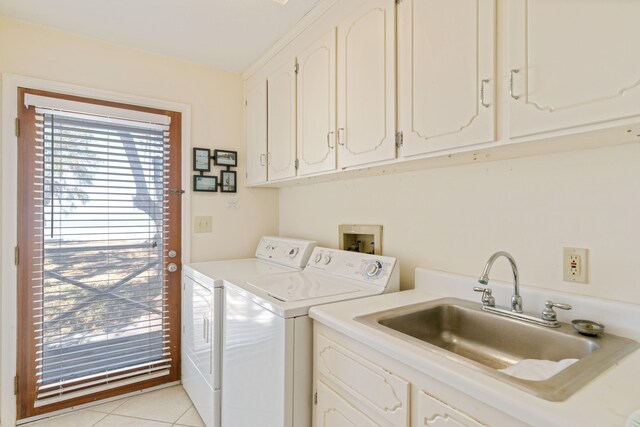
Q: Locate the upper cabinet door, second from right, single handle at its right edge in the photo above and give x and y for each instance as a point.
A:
(446, 85)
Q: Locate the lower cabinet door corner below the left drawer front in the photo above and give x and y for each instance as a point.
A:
(332, 410)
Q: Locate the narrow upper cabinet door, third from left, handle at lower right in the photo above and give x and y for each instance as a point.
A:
(317, 106)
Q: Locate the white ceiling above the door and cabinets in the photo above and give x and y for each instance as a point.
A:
(225, 34)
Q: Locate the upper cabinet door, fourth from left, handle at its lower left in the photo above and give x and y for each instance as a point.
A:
(366, 85)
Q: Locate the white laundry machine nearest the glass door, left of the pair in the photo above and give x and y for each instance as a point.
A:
(202, 314)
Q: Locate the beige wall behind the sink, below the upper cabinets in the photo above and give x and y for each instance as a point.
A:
(454, 218)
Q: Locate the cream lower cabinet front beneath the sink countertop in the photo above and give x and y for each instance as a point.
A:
(354, 385)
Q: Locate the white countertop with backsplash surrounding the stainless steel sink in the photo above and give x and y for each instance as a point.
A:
(607, 400)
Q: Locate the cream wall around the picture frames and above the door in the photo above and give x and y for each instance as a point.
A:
(215, 98)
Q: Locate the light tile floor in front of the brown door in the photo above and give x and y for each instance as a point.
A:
(166, 407)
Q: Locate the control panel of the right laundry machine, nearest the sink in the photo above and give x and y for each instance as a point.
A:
(379, 270)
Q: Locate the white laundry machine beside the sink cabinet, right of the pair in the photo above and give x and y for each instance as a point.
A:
(268, 339)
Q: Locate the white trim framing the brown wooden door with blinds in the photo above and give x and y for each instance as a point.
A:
(8, 235)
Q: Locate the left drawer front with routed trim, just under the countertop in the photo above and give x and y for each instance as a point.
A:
(383, 392)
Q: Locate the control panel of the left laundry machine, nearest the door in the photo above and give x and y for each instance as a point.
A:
(284, 251)
